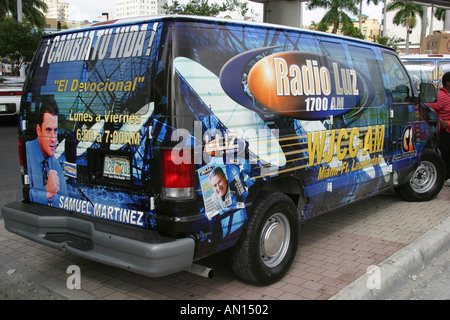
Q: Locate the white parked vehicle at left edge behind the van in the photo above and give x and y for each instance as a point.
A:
(10, 93)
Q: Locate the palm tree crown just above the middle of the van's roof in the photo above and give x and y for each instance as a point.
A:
(336, 13)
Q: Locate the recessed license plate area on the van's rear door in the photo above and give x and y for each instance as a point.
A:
(109, 167)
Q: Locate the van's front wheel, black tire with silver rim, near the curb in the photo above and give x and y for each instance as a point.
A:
(426, 181)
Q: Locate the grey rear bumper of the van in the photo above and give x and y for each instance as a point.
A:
(151, 257)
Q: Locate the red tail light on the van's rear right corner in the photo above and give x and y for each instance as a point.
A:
(177, 176)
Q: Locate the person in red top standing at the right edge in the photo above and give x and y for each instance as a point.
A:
(442, 108)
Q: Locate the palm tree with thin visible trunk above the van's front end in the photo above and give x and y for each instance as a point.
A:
(405, 16)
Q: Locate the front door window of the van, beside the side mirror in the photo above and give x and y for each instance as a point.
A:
(398, 79)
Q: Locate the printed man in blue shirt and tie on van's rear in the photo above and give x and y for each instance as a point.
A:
(46, 175)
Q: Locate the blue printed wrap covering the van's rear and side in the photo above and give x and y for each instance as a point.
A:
(123, 91)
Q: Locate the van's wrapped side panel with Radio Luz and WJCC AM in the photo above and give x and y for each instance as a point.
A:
(322, 116)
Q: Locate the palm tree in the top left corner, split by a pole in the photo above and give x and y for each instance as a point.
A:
(30, 10)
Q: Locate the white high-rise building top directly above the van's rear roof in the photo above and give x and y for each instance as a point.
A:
(136, 8)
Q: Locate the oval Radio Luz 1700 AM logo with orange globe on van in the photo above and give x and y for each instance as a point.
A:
(303, 85)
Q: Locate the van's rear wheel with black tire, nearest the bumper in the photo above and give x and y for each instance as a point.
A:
(269, 242)
